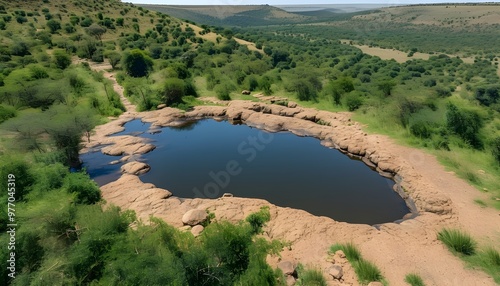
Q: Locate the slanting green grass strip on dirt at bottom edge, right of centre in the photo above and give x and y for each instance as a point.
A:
(365, 271)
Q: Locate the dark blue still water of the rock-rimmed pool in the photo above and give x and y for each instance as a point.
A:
(208, 158)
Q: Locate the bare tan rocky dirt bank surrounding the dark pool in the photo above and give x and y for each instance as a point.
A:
(441, 199)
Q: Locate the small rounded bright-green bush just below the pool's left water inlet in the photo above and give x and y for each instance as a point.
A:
(86, 190)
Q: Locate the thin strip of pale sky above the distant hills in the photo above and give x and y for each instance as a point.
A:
(289, 2)
